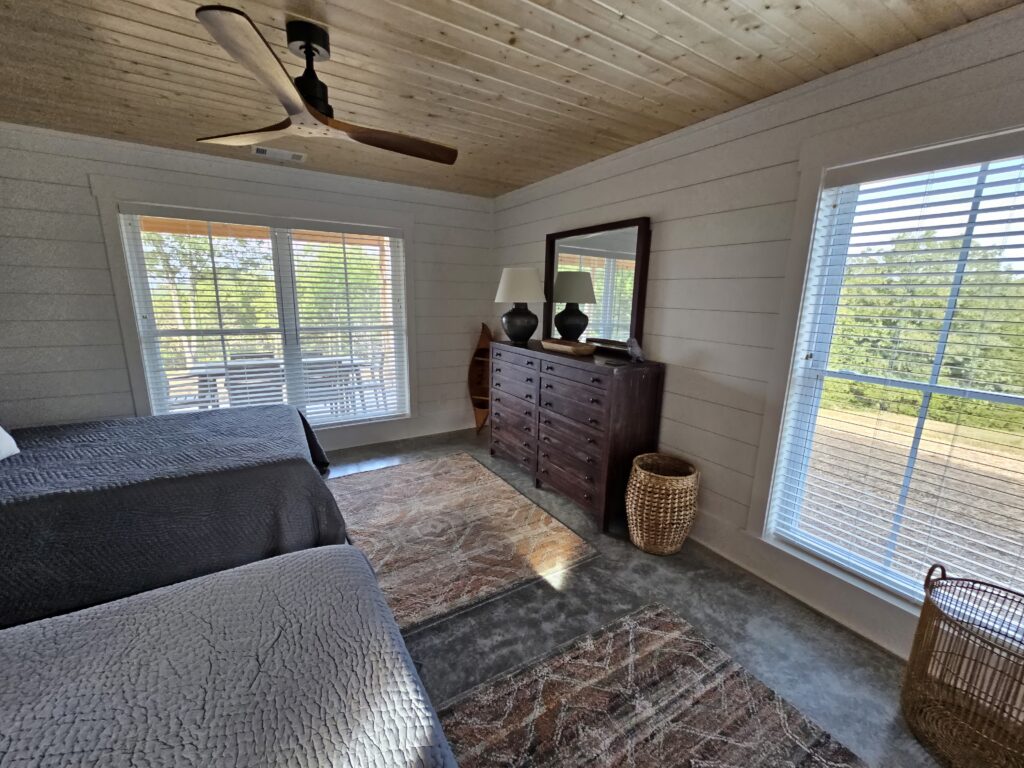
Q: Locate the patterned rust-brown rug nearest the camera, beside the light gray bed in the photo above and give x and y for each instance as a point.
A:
(647, 691)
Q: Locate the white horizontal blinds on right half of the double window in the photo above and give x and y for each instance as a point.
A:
(352, 328)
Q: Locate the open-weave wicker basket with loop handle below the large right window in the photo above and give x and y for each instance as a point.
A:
(964, 690)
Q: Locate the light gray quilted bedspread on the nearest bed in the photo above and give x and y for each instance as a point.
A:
(290, 662)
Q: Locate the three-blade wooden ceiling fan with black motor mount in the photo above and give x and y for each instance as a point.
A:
(305, 100)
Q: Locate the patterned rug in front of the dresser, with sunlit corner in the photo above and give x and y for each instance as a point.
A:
(446, 534)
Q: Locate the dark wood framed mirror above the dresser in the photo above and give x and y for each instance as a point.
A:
(604, 306)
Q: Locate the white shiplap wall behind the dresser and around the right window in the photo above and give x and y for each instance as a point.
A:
(722, 197)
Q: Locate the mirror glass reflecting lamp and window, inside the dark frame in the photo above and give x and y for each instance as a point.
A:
(594, 285)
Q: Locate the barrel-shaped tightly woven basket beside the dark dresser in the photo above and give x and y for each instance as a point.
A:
(661, 503)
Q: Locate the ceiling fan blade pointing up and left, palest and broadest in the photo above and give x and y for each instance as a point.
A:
(238, 35)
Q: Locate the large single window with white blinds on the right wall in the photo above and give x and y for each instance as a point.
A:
(903, 440)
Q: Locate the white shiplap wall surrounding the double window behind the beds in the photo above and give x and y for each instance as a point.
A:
(62, 357)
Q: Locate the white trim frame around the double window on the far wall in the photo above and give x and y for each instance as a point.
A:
(235, 204)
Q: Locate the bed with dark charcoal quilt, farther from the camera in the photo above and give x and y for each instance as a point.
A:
(97, 511)
